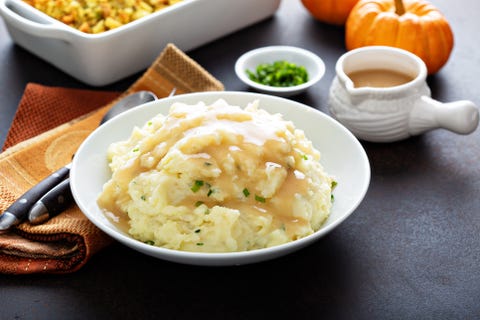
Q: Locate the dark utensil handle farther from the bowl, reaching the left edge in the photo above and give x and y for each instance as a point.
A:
(18, 211)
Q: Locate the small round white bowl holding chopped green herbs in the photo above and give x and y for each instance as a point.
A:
(301, 57)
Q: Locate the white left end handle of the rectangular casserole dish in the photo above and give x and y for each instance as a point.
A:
(26, 18)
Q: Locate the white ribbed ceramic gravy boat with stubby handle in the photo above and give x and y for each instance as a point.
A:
(398, 112)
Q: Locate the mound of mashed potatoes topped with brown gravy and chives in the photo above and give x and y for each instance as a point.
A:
(217, 178)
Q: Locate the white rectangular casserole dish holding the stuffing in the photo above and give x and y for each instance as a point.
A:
(100, 59)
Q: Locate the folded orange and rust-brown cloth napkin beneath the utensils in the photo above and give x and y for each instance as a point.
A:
(49, 126)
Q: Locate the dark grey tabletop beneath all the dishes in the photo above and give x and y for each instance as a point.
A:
(410, 251)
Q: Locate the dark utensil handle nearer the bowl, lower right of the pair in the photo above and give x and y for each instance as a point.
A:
(52, 203)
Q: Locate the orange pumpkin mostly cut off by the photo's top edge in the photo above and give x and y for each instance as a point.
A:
(330, 11)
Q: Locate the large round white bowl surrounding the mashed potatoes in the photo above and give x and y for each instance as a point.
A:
(337, 146)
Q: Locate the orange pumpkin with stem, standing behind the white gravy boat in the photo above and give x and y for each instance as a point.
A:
(413, 25)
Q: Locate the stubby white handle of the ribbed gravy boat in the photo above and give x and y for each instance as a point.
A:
(460, 116)
